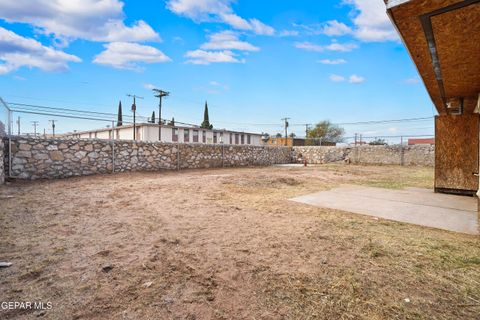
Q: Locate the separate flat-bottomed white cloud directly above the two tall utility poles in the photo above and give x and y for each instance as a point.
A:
(126, 55)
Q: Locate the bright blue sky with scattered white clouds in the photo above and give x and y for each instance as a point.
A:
(254, 61)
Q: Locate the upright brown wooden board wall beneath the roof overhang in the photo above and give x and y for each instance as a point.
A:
(456, 153)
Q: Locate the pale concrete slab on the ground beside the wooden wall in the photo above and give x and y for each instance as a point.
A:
(417, 206)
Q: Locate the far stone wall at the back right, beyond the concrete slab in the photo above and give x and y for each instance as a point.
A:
(421, 155)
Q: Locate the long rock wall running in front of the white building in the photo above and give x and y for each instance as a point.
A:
(60, 158)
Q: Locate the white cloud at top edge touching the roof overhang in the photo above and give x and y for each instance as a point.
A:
(371, 21)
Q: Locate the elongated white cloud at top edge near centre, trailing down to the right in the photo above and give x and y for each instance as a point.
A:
(218, 11)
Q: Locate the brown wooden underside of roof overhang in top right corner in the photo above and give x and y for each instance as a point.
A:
(443, 39)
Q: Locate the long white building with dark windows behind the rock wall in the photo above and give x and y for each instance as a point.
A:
(150, 132)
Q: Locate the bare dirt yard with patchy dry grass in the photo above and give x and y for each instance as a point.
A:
(227, 244)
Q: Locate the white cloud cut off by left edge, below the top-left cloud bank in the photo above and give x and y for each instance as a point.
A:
(17, 51)
